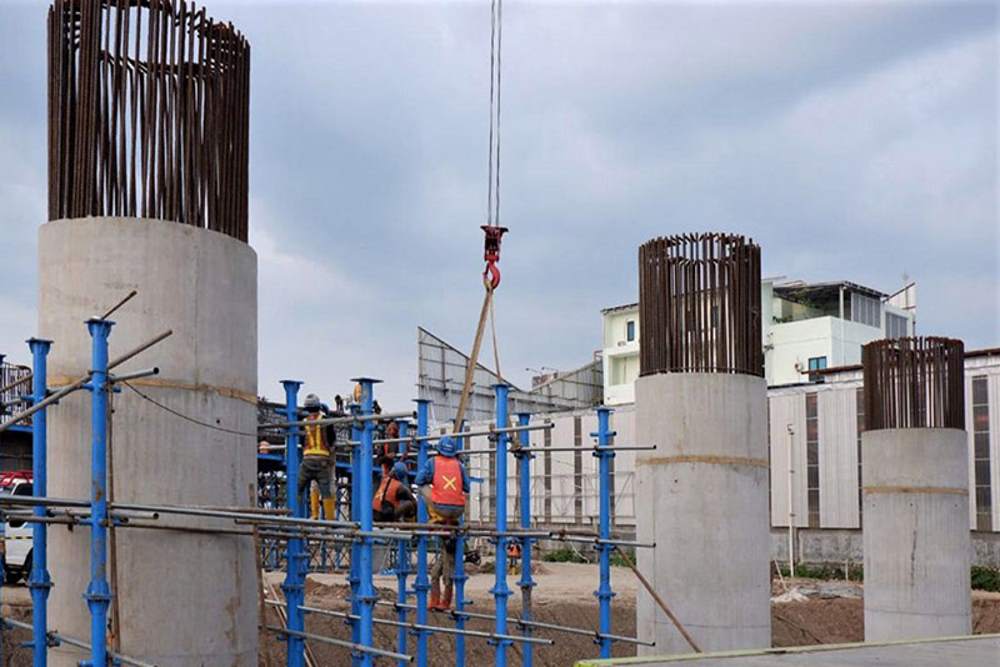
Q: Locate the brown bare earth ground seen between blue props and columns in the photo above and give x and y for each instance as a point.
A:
(821, 613)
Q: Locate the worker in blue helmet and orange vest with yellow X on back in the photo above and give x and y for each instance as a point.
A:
(444, 485)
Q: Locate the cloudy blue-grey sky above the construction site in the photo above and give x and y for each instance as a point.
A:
(853, 140)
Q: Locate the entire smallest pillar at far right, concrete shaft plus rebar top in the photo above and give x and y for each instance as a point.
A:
(915, 481)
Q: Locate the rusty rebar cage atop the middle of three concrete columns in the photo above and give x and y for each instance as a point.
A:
(699, 305)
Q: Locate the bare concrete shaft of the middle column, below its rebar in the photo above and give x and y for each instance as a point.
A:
(702, 497)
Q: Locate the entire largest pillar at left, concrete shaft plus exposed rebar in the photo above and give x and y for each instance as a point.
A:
(148, 192)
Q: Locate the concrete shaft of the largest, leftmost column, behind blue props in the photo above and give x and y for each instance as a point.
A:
(184, 599)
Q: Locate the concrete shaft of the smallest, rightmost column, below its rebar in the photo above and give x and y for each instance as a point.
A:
(916, 533)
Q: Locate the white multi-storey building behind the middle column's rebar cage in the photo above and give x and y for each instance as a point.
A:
(804, 328)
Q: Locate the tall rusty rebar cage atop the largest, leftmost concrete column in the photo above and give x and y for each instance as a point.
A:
(148, 113)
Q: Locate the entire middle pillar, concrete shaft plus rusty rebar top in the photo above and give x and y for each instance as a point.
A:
(702, 495)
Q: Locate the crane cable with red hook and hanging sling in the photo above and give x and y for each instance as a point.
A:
(492, 229)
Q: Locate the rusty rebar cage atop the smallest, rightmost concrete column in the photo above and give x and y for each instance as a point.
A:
(914, 383)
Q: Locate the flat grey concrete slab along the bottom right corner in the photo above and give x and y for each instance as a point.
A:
(978, 651)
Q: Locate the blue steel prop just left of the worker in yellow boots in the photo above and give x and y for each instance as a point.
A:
(294, 585)
